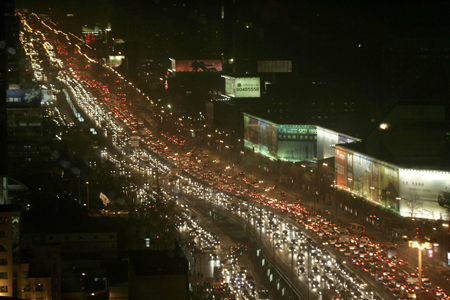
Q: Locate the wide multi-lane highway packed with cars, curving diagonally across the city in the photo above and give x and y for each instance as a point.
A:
(294, 237)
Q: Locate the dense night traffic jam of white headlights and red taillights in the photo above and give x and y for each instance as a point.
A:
(334, 262)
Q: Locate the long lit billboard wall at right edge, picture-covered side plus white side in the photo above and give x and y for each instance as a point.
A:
(414, 193)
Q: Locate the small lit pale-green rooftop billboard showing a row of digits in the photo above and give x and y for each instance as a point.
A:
(243, 87)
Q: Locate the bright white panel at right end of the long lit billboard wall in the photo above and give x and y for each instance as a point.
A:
(424, 193)
